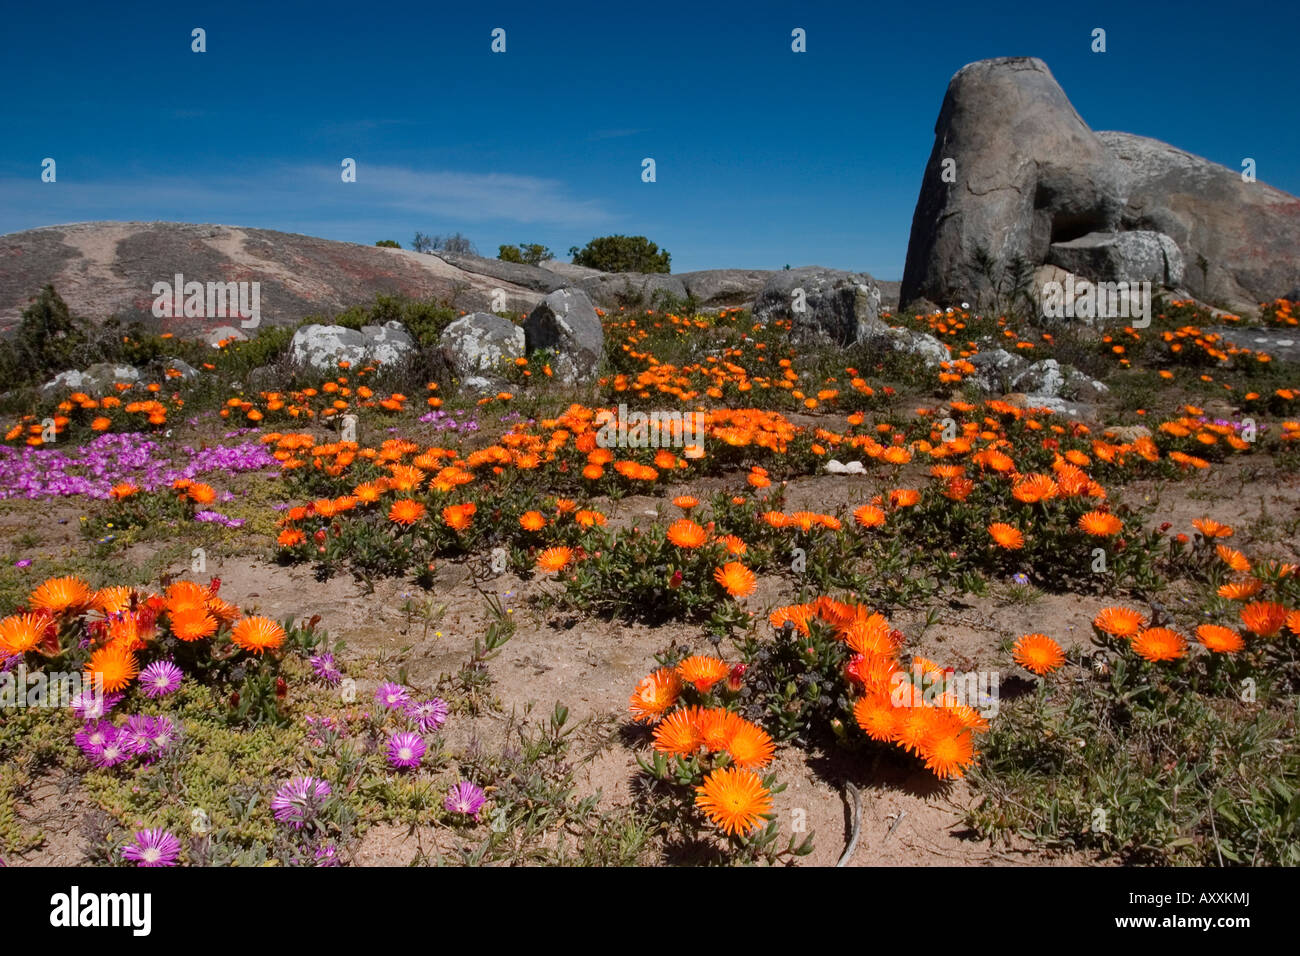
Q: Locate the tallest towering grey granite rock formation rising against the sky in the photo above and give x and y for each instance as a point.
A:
(1016, 178)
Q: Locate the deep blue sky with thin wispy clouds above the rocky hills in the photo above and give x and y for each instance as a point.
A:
(764, 157)
